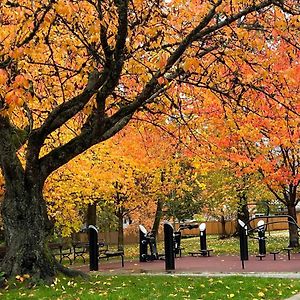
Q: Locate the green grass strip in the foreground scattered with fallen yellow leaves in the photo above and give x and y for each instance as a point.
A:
(157, 287)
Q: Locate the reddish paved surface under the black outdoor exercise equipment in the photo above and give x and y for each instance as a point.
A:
(227, 264)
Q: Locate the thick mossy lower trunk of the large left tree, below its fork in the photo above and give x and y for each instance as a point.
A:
(26, 228)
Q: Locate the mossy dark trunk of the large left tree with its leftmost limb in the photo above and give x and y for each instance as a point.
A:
(24, 213)
